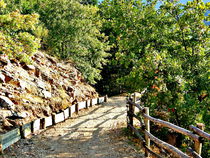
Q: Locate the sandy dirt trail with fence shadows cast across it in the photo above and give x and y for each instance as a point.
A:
(92, 134)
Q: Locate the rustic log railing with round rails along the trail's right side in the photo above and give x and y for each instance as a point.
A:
(197, 135)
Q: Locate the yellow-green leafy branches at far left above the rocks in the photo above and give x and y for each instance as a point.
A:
(17, 33)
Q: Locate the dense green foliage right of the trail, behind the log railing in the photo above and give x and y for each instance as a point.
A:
(165, 50)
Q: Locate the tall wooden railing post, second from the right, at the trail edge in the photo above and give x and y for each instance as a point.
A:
(147, 127)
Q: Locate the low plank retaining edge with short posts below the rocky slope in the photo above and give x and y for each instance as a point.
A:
(35, 126)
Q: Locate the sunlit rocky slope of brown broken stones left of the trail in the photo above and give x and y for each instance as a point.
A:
(37, 90)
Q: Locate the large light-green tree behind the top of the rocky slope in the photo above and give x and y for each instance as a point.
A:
(74, 33)
